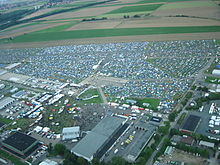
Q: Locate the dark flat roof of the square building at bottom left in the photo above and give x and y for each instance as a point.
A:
(20, 141)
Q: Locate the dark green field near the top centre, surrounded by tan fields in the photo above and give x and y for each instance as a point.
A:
(140, 8)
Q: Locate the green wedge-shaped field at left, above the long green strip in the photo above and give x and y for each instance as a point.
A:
(59, 28)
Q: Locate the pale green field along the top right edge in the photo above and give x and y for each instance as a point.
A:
(188, 4)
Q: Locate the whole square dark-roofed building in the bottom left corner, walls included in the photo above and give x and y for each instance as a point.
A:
(20, 144)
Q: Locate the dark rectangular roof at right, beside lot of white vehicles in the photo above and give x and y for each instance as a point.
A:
(191, 123)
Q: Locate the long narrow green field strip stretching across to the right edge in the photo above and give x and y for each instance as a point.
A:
(77, 34)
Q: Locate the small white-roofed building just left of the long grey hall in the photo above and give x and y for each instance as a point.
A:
(70, 133)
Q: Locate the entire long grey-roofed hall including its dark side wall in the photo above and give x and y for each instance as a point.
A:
(100, 138)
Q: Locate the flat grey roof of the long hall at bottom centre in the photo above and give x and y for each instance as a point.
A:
(95, 139)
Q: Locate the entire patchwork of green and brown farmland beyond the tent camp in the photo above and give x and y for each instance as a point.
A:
(153, 19)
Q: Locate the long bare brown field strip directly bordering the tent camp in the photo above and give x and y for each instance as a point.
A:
(161, 37)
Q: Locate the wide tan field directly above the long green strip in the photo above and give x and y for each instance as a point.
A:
(150, 22)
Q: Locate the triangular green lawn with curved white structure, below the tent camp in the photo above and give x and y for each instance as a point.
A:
(84, 97)
